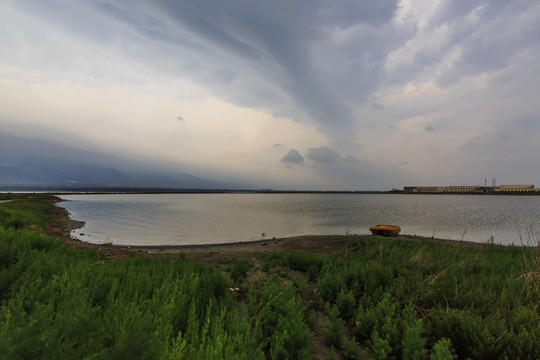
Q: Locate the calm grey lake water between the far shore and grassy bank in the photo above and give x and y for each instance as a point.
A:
(185, 219)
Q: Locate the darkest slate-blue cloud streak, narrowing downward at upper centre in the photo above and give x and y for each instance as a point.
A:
(277, 36)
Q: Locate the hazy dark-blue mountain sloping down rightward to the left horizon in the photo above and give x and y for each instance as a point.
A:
(31, 162)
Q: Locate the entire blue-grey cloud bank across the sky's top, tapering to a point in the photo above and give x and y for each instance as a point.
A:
(318, 58)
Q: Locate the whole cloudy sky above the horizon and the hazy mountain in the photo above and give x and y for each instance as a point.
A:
(305, 94)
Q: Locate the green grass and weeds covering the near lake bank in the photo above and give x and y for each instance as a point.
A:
(377, 298)
